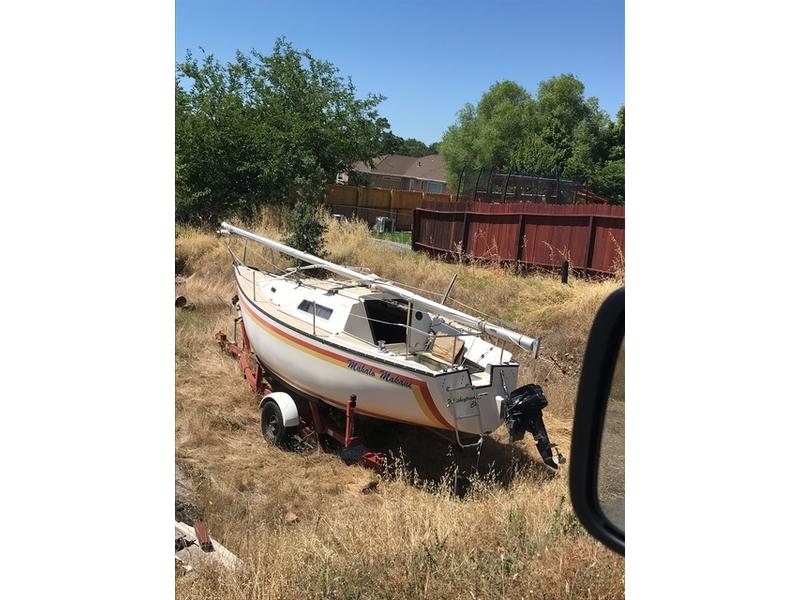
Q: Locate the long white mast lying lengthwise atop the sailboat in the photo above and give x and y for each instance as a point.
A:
(523, 341)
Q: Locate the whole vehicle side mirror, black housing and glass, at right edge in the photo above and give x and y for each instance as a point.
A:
(597, 457)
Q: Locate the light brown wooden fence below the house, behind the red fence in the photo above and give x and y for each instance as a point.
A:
(369, 203)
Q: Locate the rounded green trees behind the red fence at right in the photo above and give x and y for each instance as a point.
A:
(558, 131)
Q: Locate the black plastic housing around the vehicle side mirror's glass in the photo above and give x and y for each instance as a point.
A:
(602, 348)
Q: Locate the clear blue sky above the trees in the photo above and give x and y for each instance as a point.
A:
(427, 58)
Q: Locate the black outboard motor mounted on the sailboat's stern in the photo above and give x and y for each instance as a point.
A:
(524, 413)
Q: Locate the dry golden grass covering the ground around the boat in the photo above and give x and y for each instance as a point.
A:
(512, 534)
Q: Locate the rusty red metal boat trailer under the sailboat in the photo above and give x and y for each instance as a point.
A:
(313, 415)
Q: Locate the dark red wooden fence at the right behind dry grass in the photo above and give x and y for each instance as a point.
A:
(590, 236)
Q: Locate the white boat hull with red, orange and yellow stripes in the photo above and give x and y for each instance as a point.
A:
(332, 373)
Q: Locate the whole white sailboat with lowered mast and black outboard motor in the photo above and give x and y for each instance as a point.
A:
(407, 358)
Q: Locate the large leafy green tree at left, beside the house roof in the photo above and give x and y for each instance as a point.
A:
(266, 129)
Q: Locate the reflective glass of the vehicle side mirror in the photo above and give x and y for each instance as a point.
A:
(611, 469)
